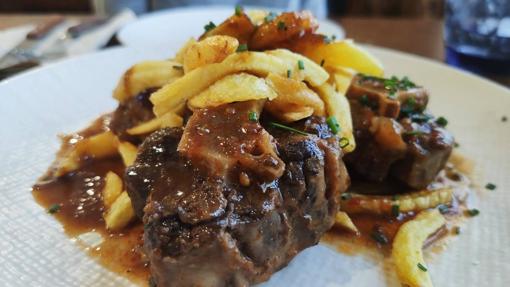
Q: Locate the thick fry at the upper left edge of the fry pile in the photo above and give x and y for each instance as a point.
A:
(144, 75)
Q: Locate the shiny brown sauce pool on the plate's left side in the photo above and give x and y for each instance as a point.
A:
(80, 211)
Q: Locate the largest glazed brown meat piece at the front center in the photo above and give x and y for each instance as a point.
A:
(227, 202)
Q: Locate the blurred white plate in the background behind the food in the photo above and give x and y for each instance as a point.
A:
(171, 28)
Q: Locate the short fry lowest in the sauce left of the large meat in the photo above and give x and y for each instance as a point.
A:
(120, 213)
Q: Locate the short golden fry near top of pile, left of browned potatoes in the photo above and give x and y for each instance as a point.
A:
(210, 50)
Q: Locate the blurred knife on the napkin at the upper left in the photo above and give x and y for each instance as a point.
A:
(26, 50)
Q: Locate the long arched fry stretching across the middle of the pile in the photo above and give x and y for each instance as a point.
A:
(194, 82)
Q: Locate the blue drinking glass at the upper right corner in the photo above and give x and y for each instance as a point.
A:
(477, 35)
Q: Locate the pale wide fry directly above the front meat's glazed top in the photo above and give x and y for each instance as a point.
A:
(233, 88)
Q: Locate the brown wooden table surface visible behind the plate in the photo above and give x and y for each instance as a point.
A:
(422, 37)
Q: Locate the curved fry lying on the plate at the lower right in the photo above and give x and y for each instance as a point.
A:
(407, 251)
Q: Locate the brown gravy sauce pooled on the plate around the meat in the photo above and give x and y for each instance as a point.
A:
(81, 210)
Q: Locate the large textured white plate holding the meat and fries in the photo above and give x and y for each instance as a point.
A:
(64, 97)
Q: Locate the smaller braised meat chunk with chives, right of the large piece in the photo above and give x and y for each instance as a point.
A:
(395, 136)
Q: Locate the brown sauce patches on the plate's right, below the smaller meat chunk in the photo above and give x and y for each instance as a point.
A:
(378, 231)
